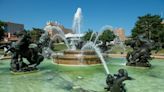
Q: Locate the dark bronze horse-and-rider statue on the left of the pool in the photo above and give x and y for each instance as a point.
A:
(25, 49)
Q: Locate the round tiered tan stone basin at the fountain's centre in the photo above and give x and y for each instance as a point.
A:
(77, 57)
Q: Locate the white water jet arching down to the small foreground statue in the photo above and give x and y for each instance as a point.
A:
(97, 50)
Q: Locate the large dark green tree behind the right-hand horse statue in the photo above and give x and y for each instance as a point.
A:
(151, 26)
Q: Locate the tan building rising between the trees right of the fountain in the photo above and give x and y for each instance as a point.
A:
(119, 32)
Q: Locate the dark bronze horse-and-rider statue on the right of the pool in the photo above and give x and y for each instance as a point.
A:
(140, 55)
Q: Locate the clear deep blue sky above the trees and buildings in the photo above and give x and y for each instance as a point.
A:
(96, 13)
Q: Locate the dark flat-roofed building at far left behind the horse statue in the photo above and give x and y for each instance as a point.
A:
(13, 27)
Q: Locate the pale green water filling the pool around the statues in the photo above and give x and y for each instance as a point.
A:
(57, 78)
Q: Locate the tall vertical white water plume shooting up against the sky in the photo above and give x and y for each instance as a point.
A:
(77, 21)
